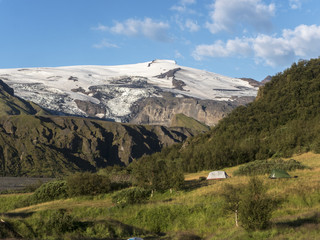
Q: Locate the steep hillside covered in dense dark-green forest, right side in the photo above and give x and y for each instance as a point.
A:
(283, 120)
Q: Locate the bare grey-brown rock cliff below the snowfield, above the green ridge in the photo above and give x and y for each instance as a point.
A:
(161, 110)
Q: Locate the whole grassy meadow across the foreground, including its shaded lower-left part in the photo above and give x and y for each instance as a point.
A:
(196, 212)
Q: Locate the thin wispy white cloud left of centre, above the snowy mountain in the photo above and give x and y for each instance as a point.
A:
(147, 28)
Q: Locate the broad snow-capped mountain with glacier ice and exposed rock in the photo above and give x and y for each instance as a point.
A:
(127, 93)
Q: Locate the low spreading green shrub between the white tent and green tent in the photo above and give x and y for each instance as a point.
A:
(260, 167)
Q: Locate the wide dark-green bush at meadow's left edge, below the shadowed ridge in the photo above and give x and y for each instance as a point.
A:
(87, 183)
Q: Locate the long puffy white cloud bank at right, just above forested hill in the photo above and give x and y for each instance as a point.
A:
(301, 42)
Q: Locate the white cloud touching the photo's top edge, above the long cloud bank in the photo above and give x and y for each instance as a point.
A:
(227, 15)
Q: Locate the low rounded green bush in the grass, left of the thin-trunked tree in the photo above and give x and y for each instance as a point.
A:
(131, 196)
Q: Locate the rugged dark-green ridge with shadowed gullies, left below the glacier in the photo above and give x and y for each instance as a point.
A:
(32, 144)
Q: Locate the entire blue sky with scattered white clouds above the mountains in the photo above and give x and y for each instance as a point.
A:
(237, 38)
